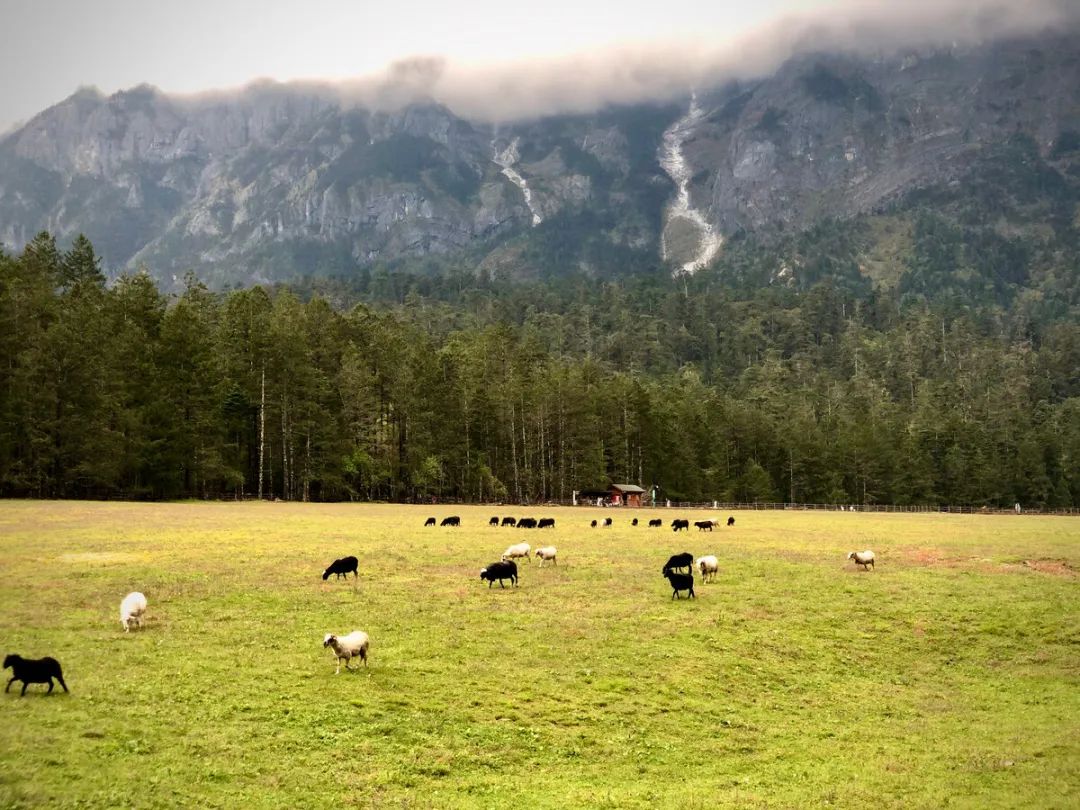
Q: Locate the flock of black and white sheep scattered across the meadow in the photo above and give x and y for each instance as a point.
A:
(679, 571)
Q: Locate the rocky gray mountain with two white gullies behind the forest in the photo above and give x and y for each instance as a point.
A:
(279, 182)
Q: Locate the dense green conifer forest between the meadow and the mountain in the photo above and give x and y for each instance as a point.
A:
(822, 393)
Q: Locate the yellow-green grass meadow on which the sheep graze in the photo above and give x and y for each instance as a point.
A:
(948, 677)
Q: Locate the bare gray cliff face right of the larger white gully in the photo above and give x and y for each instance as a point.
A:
(834, 137)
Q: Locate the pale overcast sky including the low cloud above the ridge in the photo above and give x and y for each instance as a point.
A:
(565, 53)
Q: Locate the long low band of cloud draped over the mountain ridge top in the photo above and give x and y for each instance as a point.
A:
(659, 71)
